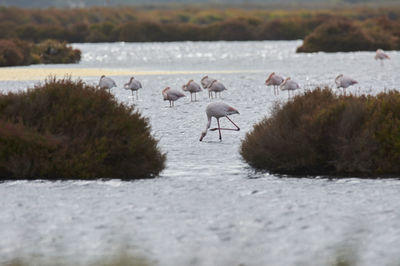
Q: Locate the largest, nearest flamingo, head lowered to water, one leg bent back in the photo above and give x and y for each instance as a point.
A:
(218, 110)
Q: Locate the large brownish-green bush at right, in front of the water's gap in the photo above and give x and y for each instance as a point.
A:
(319, 133)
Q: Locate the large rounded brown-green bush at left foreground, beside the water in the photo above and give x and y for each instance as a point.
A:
(66, 129)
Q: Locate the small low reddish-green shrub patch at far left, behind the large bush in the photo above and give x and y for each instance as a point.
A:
(18, 52)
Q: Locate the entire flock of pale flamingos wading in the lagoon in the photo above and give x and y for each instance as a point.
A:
(221, 109)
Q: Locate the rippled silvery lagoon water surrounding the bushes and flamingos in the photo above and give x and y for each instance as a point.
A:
(207, 207)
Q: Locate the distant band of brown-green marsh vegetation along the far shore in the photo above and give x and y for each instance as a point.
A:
(366, 27)
